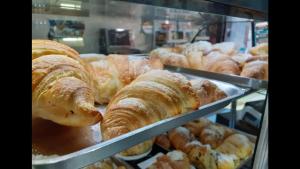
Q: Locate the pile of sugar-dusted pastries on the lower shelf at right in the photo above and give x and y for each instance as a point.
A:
(208, 145)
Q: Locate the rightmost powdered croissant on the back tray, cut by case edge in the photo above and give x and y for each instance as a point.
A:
(256, 69)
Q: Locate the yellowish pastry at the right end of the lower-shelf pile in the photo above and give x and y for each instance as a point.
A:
(238, 145)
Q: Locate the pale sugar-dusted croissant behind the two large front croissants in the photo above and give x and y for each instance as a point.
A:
(116, 71)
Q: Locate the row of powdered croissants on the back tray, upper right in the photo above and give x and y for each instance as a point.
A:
(219, 58)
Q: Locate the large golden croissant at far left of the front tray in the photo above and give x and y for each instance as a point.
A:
(61, 91)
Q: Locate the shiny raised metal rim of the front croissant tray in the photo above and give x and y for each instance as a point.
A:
(111, 147)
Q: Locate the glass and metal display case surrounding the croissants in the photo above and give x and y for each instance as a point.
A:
(136, 27)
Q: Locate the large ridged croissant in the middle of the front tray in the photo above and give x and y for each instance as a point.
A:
(155, 95)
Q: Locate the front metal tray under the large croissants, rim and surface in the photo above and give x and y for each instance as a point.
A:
(79, 147)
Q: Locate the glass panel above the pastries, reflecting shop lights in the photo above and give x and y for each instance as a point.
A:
(103, 26)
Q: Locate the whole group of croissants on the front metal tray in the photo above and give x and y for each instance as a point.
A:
(66, 87)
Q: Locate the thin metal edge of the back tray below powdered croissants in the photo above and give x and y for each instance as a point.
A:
(237, 80)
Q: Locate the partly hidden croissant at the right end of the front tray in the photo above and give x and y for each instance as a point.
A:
(207, 91)
